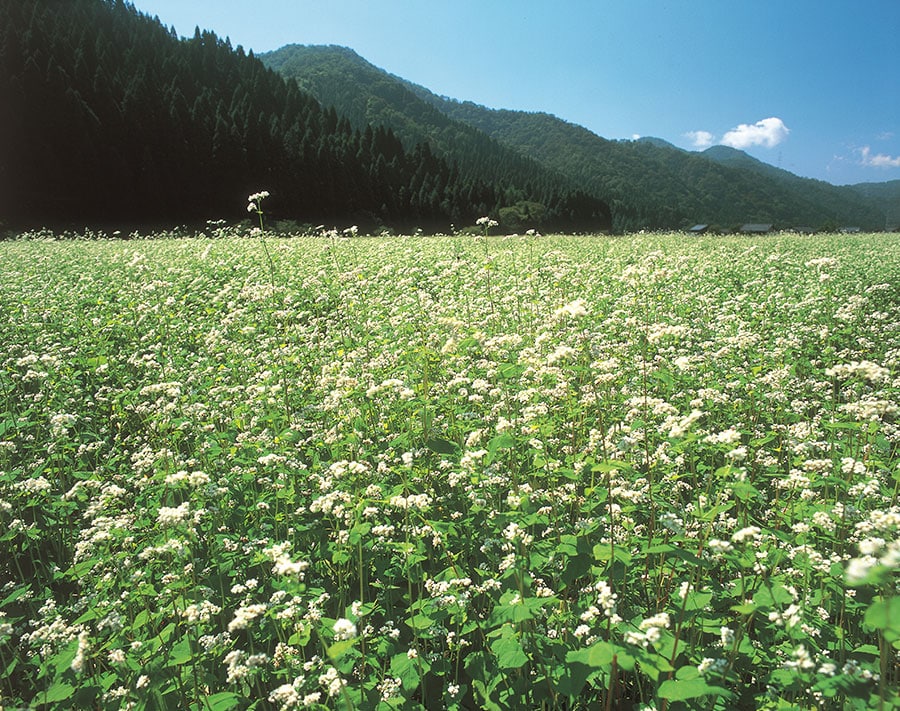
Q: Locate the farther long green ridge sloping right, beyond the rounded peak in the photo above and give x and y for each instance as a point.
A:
(652, 184)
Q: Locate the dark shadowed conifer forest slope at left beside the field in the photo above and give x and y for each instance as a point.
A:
(108, 117)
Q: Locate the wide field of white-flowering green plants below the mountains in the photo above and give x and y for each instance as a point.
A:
(562, 473)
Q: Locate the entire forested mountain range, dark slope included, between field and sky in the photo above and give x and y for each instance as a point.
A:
(106, 116)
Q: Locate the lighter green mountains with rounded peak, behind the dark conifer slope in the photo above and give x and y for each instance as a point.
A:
(648, 183)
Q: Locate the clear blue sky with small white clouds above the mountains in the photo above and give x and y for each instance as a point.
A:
(810, 86)
